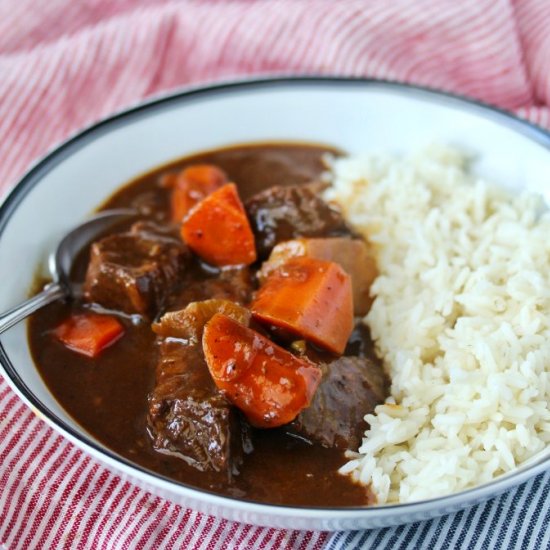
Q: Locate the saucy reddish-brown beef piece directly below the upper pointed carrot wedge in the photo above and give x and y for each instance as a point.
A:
(233, 284)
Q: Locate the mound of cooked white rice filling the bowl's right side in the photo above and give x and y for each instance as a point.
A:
(461, 319)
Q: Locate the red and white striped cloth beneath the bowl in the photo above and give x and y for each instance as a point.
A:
(64, 65)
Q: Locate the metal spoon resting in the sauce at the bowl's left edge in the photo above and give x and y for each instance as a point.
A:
(61, 262)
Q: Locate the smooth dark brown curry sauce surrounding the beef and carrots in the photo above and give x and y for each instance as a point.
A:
(107, 396)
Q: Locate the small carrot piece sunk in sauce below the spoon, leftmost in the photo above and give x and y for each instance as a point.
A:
(89, 333)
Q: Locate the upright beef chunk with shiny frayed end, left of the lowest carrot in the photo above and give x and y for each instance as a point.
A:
(188, 417)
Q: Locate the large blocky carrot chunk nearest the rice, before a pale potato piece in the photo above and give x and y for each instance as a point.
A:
(309, 298)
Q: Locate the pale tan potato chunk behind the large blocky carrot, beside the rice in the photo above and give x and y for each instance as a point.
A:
(355, 256)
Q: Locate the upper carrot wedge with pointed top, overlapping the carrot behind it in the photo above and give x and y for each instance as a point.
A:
(218, 231)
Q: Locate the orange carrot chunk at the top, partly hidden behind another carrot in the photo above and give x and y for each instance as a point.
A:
(191, 185)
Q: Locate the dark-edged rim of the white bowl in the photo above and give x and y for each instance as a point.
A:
(188, 94)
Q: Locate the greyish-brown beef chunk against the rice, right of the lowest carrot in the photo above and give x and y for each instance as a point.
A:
(351, 387)
